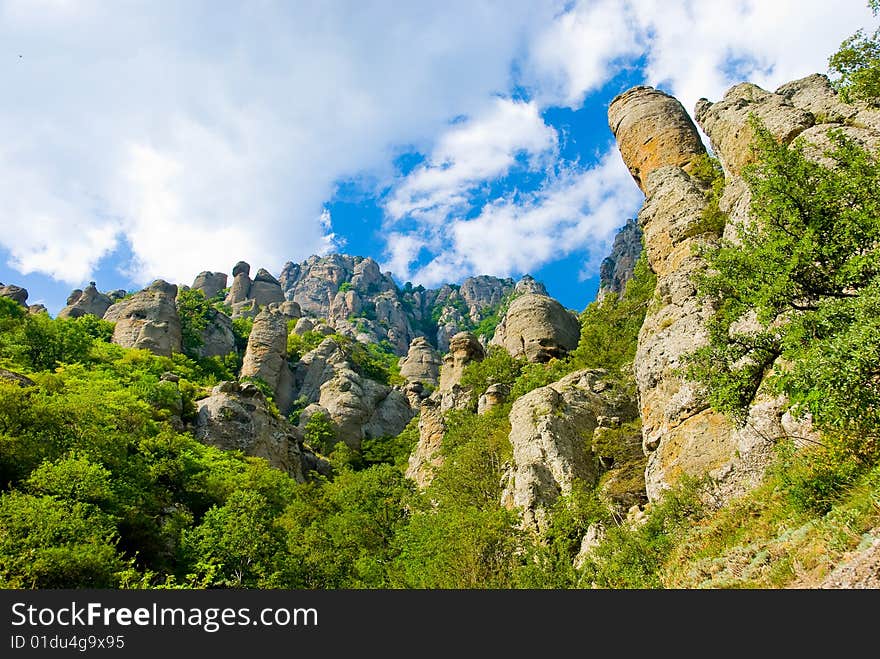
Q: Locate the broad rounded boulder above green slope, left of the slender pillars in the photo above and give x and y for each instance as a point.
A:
(148, 320)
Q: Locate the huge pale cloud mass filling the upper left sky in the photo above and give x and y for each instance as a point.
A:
(201, 135)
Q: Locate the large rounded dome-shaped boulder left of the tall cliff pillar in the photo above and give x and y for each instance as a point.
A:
(538, 328)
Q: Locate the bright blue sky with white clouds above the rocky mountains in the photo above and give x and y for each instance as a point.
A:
(144, 140)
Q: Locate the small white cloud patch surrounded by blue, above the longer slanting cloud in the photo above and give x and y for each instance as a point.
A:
(475, 150)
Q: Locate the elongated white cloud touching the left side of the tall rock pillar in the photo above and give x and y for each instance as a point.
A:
(578, 210)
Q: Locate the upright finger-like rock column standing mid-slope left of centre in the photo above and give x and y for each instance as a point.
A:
(266, 356)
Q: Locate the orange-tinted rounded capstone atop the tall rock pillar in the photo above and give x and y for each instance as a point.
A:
(652, 130)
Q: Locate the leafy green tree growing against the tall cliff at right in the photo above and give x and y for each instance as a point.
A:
(807, 271)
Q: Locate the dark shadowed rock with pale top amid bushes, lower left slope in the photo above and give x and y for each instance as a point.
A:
(236, 417)
